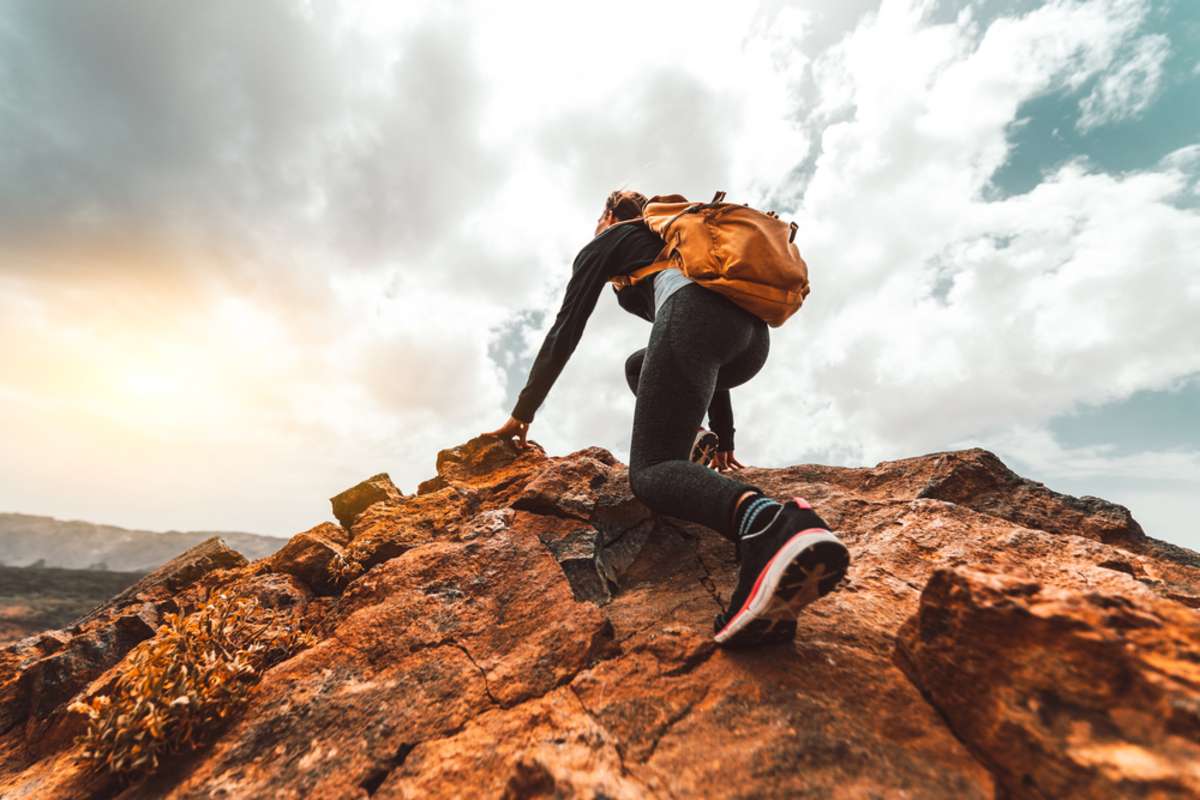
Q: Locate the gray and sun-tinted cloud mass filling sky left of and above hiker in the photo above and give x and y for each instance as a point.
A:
(285, 233)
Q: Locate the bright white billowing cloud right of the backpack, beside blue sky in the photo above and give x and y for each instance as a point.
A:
(1048, 292)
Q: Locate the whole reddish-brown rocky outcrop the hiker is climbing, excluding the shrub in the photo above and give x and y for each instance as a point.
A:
(523, 627)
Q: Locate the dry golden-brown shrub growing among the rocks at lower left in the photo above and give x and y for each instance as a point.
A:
(178, 687)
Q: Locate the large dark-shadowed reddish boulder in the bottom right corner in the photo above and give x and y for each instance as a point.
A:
(1090, 694)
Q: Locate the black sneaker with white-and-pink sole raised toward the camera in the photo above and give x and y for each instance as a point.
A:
(785, 567)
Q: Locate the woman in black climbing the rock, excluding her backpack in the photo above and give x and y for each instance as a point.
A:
(701, 346)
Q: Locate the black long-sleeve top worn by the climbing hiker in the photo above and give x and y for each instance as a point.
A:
(619, 250)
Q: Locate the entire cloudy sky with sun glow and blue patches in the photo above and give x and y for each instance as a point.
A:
(253, 252)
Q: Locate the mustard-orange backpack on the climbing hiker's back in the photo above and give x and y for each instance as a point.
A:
(741, 252)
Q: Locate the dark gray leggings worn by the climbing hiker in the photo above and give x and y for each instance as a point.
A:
(701, 341)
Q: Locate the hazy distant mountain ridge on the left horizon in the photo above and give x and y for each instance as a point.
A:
(75, 545)
